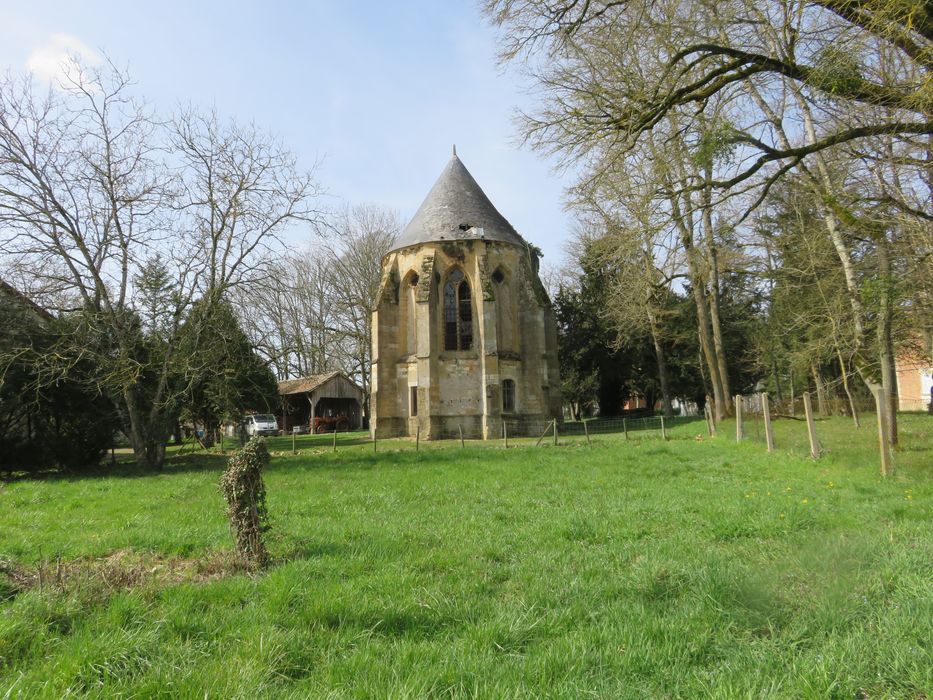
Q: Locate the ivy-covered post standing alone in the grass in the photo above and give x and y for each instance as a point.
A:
(245, 492)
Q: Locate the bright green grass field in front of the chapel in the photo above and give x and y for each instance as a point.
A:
(640, 568)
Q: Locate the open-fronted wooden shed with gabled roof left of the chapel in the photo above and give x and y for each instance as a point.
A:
(321, 403)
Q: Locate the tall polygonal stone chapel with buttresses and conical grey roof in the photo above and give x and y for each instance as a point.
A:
(463, 330)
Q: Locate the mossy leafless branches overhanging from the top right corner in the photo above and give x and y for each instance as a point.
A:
(625, 66)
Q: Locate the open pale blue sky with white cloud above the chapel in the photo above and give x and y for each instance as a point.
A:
(375, 93)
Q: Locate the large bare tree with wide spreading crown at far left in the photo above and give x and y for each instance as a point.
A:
(98, 196)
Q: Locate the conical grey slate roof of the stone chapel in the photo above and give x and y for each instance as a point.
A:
(456, 208)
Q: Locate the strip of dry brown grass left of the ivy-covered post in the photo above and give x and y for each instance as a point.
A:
(119, 570)
